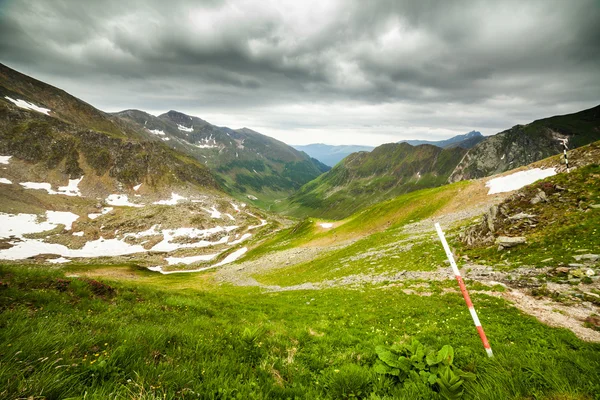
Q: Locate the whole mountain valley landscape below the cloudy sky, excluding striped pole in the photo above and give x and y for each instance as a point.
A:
(162, 256)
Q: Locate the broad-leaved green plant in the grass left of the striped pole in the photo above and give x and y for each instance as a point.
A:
(414, 362)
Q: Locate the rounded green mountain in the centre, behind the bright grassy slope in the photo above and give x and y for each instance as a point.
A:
(365, 178)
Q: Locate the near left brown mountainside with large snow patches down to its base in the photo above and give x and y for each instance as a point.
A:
(78, 184)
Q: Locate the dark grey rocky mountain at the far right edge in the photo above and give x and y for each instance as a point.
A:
(524, 144)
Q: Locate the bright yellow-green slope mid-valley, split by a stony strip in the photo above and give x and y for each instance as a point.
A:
(375, 228)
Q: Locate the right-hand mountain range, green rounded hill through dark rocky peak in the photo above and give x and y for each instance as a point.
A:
(364, 178)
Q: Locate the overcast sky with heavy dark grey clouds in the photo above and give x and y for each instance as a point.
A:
(327, 71)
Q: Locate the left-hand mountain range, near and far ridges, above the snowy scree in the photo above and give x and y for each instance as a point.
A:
(60, 135)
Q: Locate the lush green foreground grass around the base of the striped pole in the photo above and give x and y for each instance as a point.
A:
(68, 338)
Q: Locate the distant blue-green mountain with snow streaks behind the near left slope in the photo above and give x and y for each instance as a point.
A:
(244, 161)
